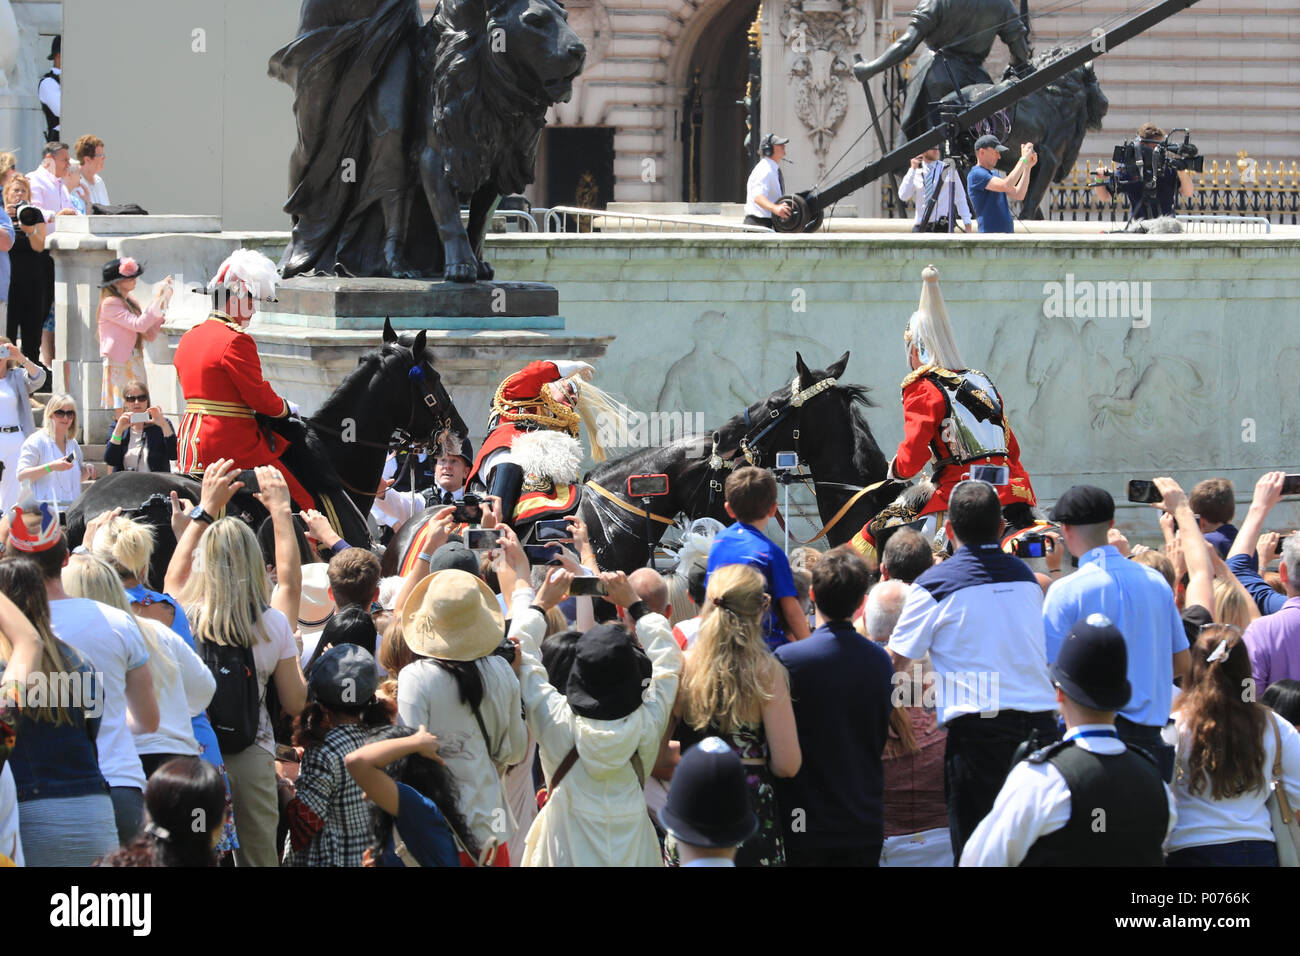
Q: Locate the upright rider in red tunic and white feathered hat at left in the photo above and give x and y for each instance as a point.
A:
(220, 375)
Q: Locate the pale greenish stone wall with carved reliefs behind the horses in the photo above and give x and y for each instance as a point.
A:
(1189, 387)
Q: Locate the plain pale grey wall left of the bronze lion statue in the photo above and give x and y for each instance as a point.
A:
(179, 93)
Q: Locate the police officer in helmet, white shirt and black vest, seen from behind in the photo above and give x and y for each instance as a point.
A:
(1087, 801)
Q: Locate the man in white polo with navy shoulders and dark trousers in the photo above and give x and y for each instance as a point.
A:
(980, 616)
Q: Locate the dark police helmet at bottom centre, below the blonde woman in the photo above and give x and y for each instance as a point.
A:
(709, 803)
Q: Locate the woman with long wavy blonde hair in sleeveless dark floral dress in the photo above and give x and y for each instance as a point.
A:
(734, 689)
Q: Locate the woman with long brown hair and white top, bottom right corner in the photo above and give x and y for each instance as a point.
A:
(1228, 750)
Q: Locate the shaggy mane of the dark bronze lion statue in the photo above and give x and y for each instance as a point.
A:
(487, 126)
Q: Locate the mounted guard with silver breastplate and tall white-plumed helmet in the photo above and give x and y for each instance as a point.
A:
(952, 416)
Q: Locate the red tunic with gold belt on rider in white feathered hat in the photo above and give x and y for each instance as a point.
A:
(220, 375)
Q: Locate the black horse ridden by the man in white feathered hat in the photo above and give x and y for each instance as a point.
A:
(393, 399)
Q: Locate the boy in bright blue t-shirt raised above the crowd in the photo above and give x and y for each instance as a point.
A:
(752, 501)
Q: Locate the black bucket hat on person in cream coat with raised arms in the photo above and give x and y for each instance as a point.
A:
(610, 673)
